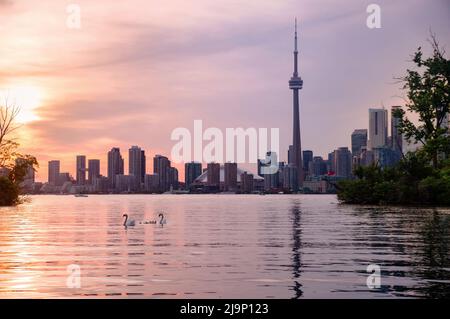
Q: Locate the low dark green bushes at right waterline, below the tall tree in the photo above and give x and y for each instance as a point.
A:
(412, 181)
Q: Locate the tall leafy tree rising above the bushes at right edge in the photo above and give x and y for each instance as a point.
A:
(428, 95)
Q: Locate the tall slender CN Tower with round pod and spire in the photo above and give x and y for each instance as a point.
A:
(296, 84)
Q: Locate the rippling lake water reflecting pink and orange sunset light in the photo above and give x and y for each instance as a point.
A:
(221, 246)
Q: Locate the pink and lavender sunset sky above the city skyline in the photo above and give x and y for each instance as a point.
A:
(136, 70)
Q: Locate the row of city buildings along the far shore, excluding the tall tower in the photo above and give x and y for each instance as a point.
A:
(367, 147)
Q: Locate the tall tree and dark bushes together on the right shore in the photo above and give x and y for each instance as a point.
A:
(421, 177)
